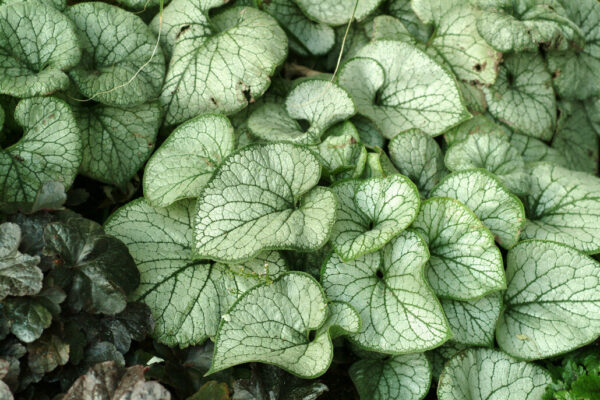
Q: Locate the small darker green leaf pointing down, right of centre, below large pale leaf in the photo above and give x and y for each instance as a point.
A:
(419, 157)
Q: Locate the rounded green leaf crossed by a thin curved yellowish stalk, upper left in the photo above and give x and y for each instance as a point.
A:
(121, 65)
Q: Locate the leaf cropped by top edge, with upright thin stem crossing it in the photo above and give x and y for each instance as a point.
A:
(337, 12)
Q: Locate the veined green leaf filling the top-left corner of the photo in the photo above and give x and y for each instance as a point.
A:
(37, 44)
